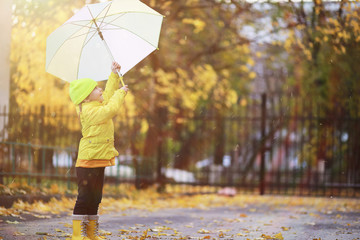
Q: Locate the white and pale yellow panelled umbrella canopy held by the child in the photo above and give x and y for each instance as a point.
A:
(125, 31)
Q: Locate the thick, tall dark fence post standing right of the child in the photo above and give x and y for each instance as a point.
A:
(263, 132)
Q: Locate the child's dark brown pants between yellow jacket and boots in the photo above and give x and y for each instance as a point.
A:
(90, 186)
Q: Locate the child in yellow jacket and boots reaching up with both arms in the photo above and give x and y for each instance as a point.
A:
(96, 149)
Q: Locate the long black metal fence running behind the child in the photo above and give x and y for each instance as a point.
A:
(277, 144)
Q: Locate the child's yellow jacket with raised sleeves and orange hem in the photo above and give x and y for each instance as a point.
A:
(96, 148)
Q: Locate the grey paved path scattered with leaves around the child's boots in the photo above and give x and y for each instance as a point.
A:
(249, 221)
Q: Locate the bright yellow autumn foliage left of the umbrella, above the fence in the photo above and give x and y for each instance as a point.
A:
(28, 42)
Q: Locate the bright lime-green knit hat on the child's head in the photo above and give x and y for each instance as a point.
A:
(80, 89)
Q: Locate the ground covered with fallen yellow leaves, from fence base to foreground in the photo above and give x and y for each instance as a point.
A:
(210, 216)
